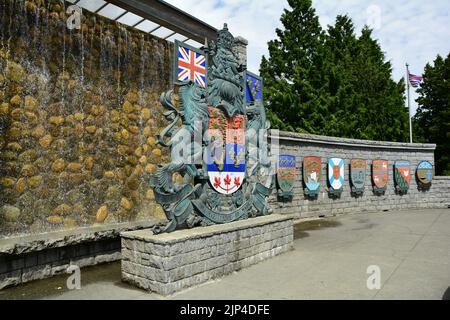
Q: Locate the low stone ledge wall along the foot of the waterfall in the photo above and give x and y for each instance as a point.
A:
(41, 256)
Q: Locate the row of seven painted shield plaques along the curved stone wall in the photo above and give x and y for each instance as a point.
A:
(312, 176)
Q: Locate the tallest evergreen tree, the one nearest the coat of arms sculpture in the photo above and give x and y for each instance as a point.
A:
(291, 73)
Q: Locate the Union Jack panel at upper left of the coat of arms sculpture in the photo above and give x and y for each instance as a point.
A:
(191, 66)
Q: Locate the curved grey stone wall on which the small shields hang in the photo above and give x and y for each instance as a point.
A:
(301, 145)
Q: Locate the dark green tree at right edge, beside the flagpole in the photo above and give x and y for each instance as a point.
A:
(432, 121)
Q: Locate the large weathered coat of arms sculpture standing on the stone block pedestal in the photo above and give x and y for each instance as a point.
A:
(224, 180)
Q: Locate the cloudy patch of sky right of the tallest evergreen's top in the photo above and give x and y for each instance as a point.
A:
(410, 31)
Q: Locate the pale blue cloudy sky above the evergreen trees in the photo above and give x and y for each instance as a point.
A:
(412, 31)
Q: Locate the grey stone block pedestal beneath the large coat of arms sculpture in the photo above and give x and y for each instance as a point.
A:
(172, 262)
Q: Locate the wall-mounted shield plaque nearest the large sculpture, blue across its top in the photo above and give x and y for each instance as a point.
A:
(286, 176)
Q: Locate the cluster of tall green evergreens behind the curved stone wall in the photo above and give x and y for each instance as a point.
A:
(331, 82)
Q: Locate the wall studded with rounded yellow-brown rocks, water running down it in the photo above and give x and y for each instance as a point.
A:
(78, 114)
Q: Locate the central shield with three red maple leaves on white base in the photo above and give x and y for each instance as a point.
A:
(226, 153)
